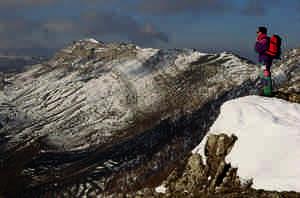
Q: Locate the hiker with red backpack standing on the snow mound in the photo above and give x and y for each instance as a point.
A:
(267, 49)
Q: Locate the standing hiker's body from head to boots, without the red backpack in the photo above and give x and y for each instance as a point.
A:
(262, 47)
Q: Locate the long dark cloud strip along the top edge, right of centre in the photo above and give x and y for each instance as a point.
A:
(174, 7)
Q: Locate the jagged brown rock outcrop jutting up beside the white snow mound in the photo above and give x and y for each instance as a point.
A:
(215, 177)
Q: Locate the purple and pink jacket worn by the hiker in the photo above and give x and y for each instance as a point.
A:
(261, 46)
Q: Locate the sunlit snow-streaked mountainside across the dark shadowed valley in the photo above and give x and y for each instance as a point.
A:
(105, 88)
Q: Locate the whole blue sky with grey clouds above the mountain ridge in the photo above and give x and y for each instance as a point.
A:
(40, 27)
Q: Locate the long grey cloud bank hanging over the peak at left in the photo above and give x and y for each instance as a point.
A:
(17, 33)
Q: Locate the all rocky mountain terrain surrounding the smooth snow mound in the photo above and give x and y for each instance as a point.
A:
(111, 119)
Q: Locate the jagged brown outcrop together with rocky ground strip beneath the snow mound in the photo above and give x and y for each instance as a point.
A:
(214, 179)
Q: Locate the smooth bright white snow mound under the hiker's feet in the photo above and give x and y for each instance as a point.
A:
(268, 145)
